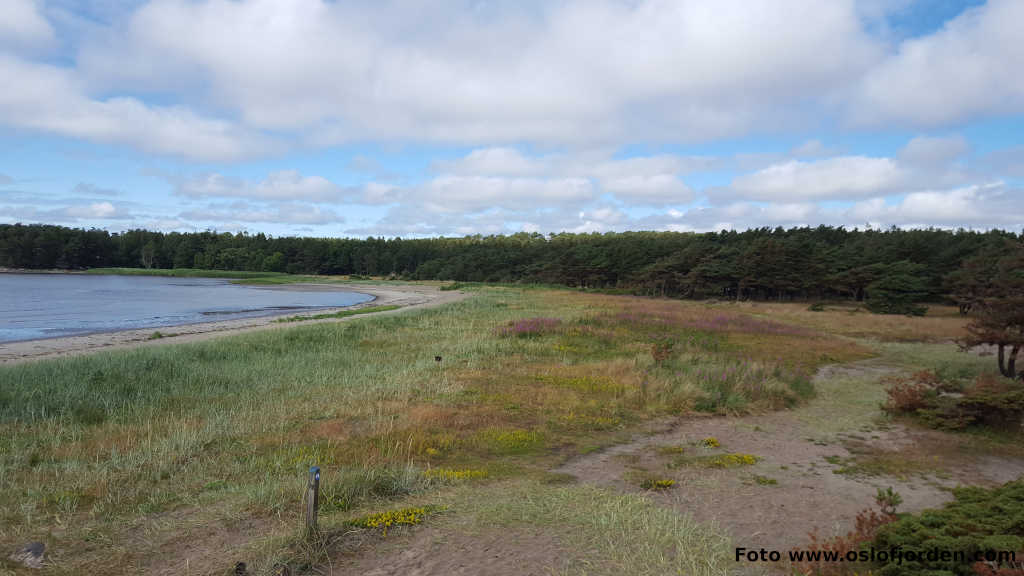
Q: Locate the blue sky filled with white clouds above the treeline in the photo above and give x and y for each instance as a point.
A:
(456, 117)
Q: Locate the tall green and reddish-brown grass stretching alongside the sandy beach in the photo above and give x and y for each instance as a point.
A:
(106, 445)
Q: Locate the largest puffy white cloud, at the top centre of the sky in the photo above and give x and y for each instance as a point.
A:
(573, 72)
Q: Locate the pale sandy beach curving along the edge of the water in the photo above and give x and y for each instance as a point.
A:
(407, 297)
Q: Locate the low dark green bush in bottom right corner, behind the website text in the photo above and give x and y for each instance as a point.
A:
(978, 520)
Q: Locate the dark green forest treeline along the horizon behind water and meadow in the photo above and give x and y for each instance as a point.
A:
(804, 264)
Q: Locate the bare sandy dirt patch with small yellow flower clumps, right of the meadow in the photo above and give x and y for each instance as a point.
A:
(798, 484)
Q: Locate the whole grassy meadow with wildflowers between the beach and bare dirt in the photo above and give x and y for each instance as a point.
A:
(196, 455)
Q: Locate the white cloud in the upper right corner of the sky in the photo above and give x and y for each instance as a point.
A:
(970, 68)
